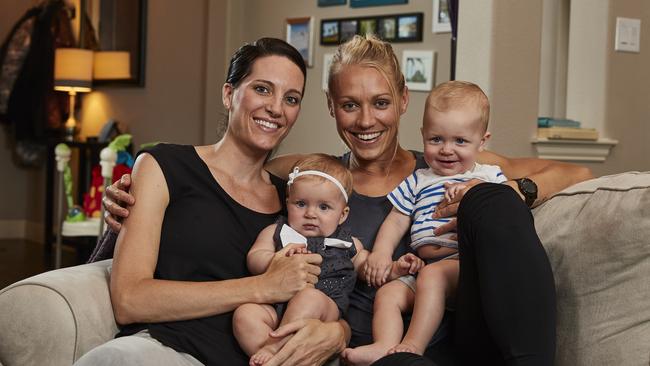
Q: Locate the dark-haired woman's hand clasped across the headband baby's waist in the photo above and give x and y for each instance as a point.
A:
(285, 276)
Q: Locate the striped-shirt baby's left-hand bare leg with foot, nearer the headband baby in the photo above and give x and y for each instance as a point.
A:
(392, 300)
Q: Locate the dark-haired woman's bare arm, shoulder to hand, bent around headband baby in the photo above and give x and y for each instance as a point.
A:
(138, 297)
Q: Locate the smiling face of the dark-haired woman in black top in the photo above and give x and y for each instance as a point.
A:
(265, 105)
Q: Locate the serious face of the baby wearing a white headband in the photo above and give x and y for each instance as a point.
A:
(315, 207)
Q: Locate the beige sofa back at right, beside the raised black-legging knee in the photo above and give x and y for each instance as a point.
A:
(597, 236)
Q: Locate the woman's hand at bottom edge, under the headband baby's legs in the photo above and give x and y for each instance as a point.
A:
(313, 342)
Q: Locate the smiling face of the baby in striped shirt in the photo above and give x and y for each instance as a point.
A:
(452, 139)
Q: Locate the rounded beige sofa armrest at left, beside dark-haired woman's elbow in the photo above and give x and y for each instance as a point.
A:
(55, 317)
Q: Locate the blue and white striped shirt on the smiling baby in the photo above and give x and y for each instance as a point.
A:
(419, 195)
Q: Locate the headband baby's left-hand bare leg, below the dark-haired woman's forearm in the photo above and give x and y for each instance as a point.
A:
(252, 324)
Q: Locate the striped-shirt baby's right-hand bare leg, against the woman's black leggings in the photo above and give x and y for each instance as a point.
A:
(436, 282)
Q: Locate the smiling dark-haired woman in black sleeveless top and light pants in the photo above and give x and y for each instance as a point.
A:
(180, 259)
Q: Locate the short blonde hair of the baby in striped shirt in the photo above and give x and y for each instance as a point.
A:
(456, 94)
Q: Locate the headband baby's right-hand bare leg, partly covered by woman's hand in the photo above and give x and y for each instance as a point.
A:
(309, 303)
